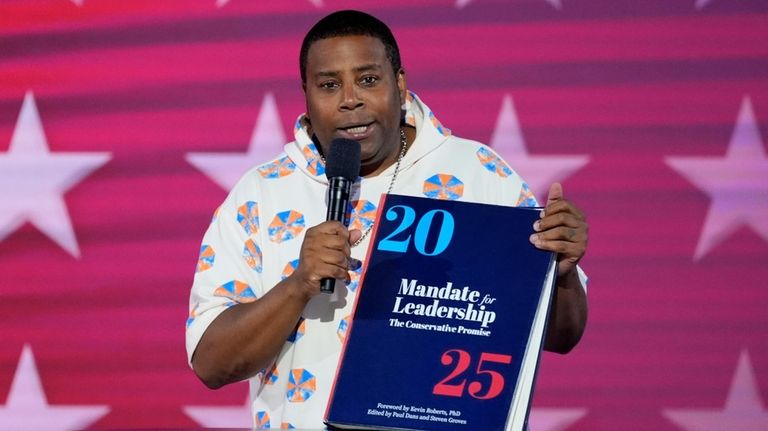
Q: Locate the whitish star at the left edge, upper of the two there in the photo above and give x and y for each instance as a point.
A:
(33, 180)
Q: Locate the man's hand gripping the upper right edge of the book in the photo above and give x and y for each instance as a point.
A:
(562, 229)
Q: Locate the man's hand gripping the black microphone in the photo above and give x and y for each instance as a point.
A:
(324, 254)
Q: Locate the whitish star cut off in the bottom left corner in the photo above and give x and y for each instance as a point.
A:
(27, 408)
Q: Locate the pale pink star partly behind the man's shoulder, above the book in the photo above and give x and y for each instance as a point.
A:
(538, 171)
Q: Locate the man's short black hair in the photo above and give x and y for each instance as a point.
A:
(350, 23)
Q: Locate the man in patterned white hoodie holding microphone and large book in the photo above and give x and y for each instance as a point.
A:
(256, 308)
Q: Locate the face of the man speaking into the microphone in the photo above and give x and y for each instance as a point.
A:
(353, 93)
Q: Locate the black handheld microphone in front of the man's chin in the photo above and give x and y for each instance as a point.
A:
(342, 168)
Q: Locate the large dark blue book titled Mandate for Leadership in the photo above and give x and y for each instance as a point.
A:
(449, 320)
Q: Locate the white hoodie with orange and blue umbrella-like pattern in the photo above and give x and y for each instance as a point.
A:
(255, 237)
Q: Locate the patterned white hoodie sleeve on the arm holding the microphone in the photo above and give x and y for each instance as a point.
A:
(229, 267)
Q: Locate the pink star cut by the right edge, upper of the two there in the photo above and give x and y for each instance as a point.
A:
(737, 184)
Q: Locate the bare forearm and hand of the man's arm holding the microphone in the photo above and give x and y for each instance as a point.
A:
(247, 337)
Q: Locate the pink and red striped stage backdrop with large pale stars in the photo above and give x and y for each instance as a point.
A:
(123, 123)
